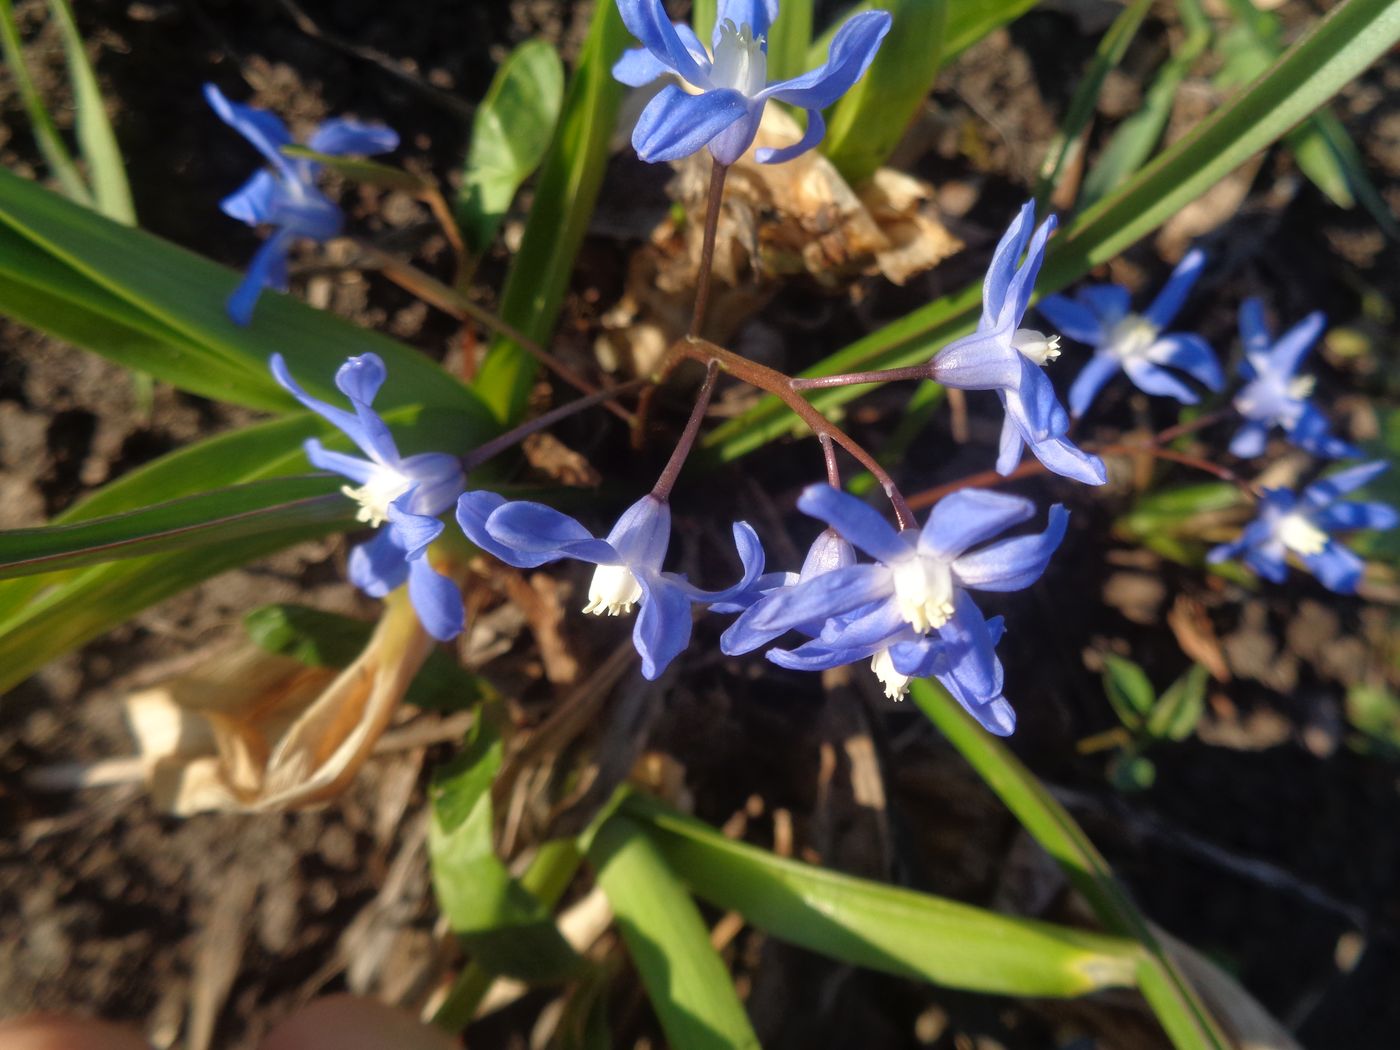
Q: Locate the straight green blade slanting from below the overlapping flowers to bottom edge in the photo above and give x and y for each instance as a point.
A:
(1172, 999)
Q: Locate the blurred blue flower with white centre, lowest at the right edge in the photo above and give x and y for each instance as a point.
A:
(1303, 526)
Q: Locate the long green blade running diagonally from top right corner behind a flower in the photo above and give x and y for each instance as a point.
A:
(1352, 37)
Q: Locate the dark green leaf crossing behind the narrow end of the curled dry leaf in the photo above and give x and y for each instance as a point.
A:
(321, 639)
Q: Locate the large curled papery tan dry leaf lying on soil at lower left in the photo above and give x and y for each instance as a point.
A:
(253, 731)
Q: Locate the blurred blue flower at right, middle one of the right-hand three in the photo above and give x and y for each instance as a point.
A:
(1275, 394)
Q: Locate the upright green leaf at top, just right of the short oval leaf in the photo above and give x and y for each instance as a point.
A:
(565, 199)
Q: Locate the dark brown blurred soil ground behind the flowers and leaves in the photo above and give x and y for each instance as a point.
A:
(1266, 841)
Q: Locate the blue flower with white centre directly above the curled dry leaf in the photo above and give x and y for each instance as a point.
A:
(401, 496)
